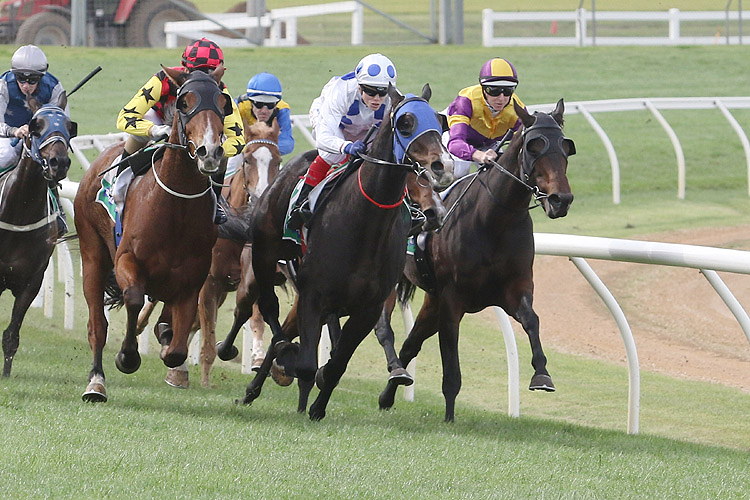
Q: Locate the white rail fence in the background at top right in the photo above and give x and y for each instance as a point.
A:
(583, 18)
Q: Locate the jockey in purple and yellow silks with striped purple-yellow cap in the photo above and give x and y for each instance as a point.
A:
(482, 114)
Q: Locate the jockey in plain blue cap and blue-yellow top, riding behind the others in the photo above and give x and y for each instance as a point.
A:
(263, 102)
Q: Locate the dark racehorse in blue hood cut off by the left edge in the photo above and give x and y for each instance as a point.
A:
(28, 215)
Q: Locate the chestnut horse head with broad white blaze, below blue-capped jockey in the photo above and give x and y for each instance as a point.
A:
(261, 159)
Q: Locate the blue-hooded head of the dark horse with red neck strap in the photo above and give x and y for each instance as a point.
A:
(417, 137)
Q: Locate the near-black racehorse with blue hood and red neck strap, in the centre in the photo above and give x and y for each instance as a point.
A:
(356, 244)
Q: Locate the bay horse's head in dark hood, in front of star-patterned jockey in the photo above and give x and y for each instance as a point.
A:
(201, 107)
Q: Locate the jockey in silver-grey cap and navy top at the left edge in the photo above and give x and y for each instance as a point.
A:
(28, 77)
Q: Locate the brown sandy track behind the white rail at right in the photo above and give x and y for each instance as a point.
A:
(680, 325)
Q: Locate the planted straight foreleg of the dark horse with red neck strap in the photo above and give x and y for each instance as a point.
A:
(355, 330)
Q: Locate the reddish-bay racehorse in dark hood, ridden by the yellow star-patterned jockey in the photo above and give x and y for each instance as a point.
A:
(168, 230)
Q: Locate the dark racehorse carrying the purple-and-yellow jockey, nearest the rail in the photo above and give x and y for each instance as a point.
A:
(483, 255)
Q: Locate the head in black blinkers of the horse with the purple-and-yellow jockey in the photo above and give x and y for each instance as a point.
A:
(544, 158)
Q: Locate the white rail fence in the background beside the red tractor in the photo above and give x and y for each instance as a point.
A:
(282, 23)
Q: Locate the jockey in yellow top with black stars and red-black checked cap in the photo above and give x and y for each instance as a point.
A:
(150, 112)
